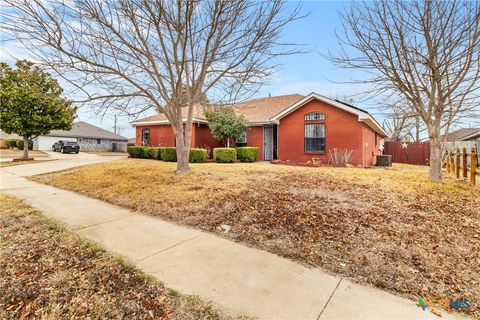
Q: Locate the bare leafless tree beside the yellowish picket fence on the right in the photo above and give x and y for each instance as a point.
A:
(425, 52)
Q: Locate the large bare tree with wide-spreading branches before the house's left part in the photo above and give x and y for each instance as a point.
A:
(134, 55)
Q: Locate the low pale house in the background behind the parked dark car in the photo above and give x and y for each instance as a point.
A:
(88, 136)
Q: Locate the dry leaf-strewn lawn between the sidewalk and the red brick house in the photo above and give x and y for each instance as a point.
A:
(390, 228)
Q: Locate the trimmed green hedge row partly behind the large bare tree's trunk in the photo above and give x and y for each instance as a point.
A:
(168, 154)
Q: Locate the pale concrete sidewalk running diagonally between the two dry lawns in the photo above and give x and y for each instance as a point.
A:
(241, 279)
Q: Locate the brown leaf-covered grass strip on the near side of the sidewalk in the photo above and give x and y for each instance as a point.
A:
(47, 272)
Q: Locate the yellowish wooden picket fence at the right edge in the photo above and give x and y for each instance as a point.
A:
(462, 164)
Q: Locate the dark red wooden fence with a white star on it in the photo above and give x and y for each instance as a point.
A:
(408, 152)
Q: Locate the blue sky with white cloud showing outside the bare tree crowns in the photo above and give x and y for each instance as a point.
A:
(302, 74)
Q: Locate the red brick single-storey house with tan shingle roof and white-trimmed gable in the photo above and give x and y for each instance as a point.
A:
(288, 128)
